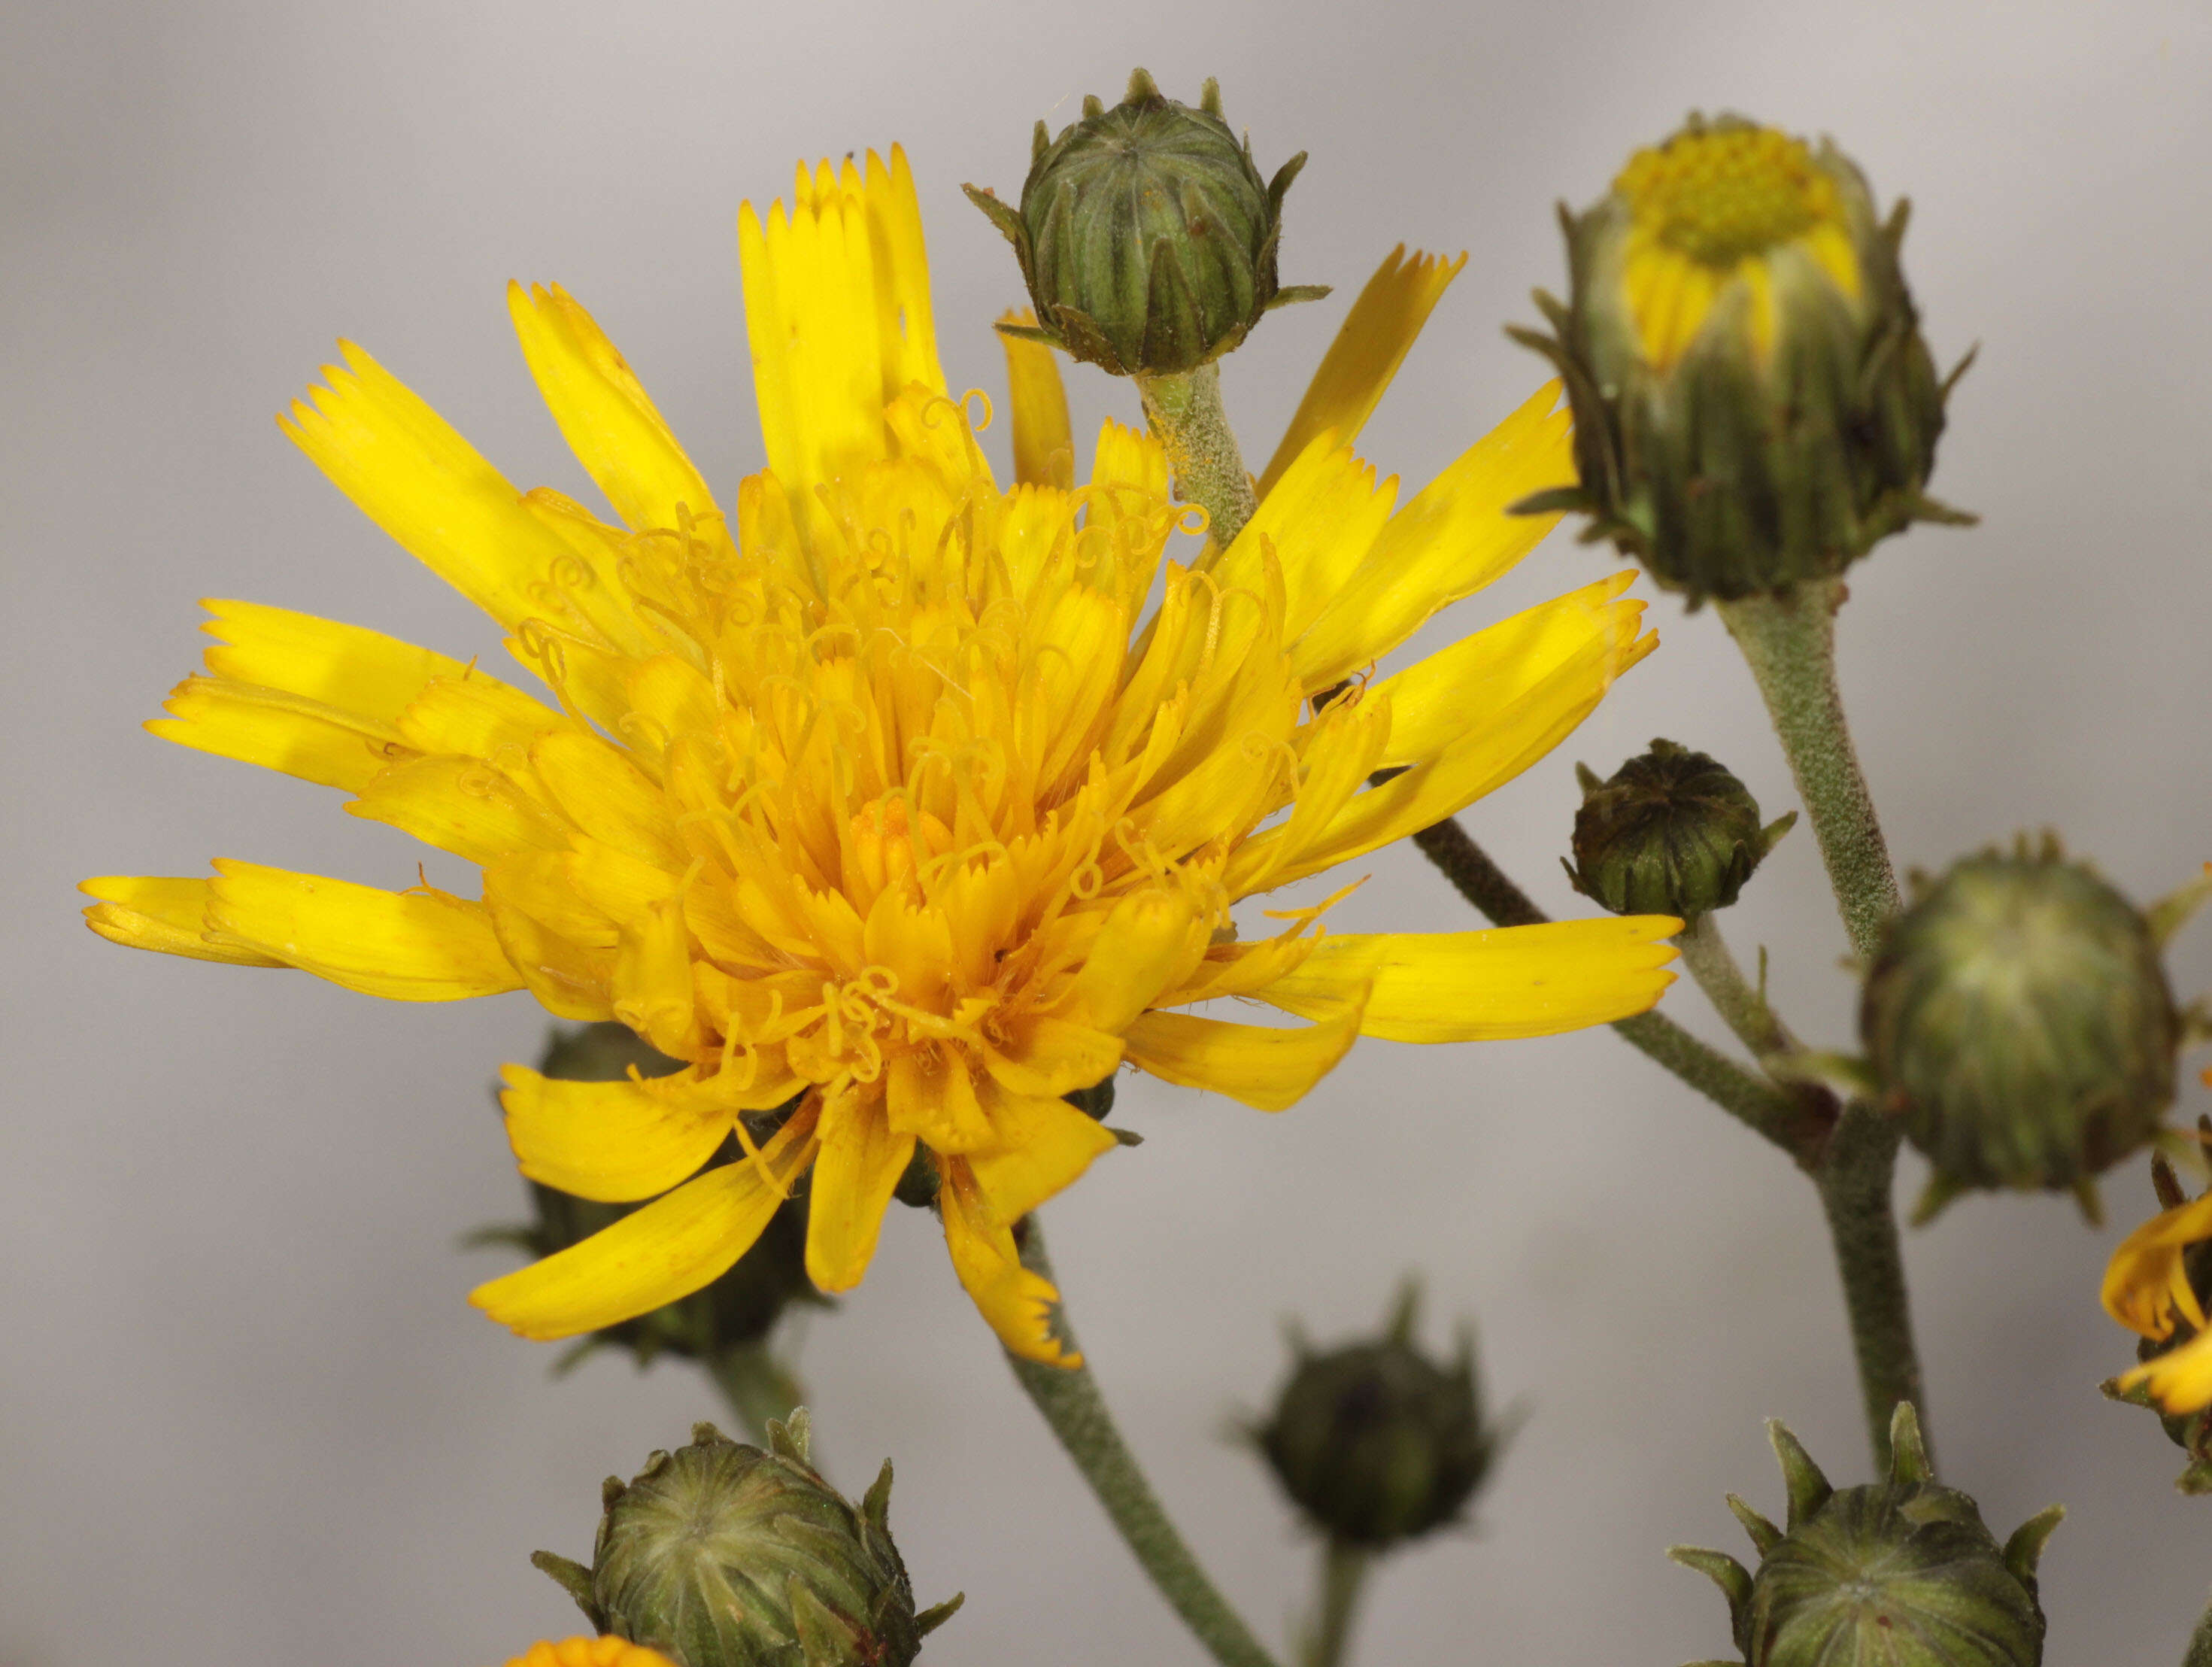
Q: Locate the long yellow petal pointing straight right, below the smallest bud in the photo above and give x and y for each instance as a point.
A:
(1485, 986)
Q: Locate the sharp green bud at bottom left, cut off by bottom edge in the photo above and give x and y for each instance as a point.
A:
(722, 1555)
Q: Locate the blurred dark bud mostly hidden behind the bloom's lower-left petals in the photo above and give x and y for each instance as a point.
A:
(731, 1314)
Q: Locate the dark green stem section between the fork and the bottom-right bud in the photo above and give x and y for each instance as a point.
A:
(1857, 1181)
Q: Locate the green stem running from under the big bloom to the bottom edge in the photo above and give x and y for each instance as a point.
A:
(1074, 1407)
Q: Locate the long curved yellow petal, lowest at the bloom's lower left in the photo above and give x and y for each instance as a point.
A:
(658, 1254)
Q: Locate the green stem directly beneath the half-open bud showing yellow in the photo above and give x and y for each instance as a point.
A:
(1791, 645)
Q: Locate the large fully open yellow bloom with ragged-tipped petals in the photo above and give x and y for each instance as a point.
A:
(875, 791)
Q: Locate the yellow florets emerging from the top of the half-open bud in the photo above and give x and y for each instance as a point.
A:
(1715, 207)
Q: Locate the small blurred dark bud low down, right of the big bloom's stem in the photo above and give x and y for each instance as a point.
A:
(1377, 1442)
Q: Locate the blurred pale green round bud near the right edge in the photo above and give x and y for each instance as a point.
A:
(2021, 1024)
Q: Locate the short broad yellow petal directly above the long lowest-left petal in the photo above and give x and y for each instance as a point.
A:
(612, 1141)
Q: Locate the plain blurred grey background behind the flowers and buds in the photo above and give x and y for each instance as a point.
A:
(244, 1414)
